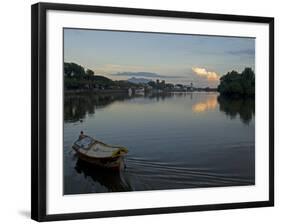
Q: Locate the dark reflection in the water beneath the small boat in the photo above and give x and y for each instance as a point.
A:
(113, 181)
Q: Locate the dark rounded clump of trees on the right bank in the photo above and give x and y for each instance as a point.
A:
(238, 84)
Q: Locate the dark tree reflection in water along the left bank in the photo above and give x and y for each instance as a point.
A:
(76, 106)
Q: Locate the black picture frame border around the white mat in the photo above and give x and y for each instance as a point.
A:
(38, 108)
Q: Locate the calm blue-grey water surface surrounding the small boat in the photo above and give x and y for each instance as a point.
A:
(175, 140)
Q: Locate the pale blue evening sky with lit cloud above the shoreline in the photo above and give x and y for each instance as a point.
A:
(175, 58)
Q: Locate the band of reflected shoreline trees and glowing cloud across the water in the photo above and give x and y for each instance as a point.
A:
(77, 106)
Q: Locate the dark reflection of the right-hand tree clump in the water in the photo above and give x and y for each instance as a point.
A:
(244, 107)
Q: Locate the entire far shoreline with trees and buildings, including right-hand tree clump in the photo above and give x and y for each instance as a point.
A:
(77, 79)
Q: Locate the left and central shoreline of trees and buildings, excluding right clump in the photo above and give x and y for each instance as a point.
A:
(77, 79)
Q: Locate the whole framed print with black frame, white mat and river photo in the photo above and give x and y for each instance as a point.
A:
(140, 111)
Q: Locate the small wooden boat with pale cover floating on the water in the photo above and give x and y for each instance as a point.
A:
(99, 153)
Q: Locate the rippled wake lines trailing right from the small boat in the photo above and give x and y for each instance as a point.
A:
(154, 175)
